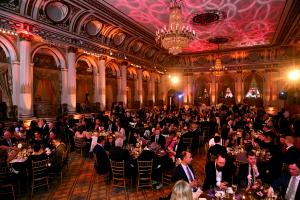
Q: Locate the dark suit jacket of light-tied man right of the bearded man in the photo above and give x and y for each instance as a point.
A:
(244, 172)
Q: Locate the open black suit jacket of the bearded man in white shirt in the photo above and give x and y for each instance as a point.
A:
(210, 175)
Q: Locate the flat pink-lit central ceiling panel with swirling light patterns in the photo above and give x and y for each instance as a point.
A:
(248, 23)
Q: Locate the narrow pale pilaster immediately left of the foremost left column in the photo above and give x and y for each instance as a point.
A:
(16, 82)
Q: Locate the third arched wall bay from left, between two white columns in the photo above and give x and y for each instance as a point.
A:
(84, 86)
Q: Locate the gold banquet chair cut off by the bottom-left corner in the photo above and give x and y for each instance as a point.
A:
(6, 189)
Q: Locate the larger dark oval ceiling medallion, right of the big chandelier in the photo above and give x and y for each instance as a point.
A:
(208, 17)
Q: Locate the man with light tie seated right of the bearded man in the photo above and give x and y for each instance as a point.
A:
(250, 171)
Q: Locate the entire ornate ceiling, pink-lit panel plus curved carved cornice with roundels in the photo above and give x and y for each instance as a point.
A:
(125, 29)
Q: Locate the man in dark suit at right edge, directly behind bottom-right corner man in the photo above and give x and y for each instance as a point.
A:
(292, 153)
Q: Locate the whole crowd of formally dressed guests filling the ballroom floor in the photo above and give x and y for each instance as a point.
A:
(151, 131)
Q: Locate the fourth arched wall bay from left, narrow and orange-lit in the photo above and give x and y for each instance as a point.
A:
(111, 85)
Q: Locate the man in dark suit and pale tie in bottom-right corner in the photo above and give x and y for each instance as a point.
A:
(289, 184)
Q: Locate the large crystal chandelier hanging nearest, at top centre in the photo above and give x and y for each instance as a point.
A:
(176, 36)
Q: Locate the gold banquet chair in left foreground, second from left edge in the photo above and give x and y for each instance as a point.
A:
(39, 175)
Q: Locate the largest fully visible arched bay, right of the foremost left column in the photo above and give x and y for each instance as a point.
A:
(46, 83)
